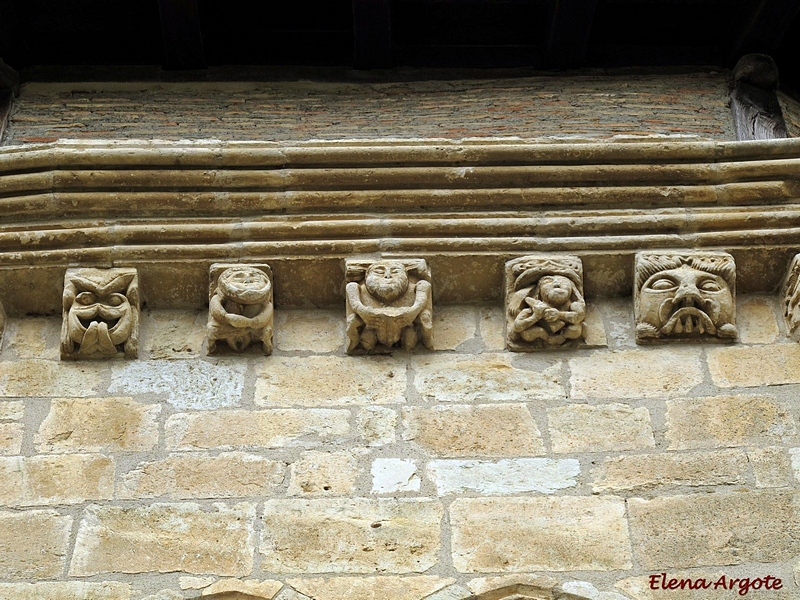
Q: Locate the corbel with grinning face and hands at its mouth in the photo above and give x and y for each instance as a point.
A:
(100, 313)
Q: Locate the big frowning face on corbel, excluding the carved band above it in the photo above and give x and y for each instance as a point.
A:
(686, 302)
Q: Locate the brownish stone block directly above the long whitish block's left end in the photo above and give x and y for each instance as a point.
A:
(495, 430)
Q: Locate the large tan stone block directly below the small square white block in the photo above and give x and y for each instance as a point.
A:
(350, 535)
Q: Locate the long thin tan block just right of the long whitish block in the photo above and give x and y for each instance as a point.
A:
(648, 471)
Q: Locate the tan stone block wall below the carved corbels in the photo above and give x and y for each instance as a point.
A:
(437, 475)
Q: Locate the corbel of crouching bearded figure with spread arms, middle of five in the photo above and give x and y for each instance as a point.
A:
(388, 303)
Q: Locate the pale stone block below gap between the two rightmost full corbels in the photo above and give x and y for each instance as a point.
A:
(621, 374)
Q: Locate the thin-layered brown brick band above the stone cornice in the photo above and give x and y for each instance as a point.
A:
(590, 106)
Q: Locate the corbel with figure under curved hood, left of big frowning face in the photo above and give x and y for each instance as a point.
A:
(545, 307)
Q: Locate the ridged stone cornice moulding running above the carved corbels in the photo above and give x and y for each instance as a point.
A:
(172, 209)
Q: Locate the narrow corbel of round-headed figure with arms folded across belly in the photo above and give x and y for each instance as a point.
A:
(240, 309)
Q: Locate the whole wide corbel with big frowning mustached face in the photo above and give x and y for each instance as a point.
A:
(687, 296)
